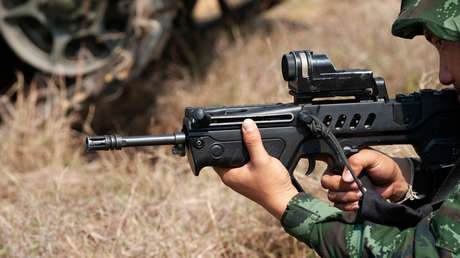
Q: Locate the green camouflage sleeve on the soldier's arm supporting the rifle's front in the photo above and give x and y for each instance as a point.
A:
(333, 233)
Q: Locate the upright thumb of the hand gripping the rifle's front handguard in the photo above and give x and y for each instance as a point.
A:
(253, 141)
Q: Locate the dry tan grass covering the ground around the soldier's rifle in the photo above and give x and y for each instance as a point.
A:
(55, 200)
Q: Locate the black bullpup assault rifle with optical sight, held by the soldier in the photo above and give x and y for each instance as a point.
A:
(351, 105)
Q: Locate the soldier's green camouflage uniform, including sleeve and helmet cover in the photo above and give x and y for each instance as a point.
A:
(333, 233)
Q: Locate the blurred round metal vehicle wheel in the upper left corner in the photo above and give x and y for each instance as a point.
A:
(65, 37)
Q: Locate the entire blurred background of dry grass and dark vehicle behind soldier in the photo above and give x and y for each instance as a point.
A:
(79, 67)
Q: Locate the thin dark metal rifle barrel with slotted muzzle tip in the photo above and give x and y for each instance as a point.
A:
(112, 142)
